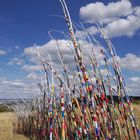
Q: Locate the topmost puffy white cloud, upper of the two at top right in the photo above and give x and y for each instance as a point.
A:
(105, 13)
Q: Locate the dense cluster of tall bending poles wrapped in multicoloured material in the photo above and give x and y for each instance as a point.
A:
(86, 110)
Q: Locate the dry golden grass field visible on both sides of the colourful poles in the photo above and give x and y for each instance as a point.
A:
(6, 125)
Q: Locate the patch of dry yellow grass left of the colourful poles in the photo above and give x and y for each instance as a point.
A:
(6, 128)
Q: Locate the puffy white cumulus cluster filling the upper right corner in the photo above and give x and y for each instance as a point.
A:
(119, 18)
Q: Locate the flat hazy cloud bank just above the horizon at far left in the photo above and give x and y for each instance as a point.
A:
(16, 89)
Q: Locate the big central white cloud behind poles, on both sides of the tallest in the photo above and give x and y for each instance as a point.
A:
(66, 49)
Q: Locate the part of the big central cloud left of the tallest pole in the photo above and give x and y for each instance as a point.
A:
(51, 49)
